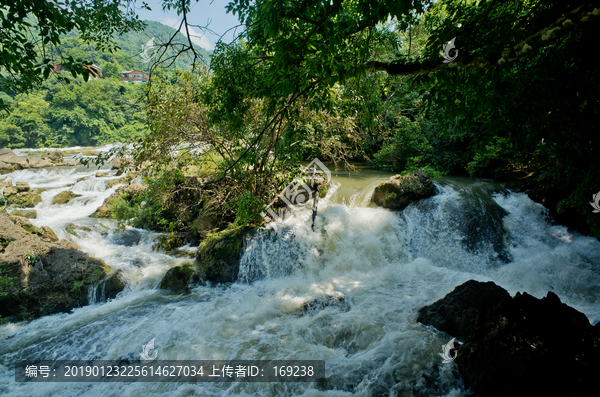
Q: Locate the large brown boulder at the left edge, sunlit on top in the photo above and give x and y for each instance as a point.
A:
(49, 276)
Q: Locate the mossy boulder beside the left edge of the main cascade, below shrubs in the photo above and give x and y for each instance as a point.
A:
(219, 254)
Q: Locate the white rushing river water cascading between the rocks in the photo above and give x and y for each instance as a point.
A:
(385, 264)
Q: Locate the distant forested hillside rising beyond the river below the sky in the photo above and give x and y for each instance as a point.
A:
(88, 113)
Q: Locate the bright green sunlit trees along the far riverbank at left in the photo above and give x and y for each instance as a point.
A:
(78, 114)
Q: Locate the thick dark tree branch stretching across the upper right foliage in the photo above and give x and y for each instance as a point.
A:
(568, 22)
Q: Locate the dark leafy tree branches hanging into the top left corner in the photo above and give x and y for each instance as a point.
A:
(32, 29)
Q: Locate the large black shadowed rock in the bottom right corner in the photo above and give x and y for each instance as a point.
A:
(520, 346)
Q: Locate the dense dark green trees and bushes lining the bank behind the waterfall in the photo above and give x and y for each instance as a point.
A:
(364, 81)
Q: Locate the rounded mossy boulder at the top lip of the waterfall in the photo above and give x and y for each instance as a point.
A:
(399, 191)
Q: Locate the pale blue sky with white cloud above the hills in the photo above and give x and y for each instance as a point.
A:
(202, 13)
